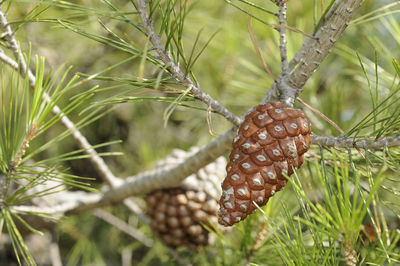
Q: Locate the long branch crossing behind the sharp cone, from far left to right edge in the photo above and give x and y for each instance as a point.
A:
(76, 202)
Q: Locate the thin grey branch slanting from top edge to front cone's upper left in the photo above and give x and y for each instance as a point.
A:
(176, 71)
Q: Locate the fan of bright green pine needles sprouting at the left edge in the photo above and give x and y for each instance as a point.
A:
(25, 115)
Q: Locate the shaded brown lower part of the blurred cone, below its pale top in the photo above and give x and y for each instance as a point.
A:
(177, 216)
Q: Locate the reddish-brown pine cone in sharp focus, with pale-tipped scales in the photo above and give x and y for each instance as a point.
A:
(271, 141)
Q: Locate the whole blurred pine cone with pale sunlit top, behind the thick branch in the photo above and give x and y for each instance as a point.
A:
(178, 214)
